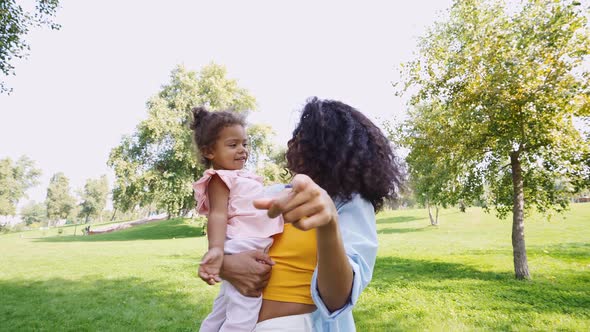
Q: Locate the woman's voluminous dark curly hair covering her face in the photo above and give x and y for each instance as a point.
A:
(344, 153)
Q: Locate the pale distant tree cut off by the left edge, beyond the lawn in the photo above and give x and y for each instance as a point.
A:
(15, 179)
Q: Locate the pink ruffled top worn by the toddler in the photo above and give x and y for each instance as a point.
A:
(244, 220)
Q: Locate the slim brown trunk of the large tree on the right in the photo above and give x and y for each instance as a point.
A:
(521, 268)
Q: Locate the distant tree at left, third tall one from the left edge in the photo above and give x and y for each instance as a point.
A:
(94, 198)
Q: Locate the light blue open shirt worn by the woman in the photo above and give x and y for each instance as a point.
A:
(356, 220)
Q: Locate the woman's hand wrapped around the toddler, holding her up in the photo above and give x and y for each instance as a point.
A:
(247, 271)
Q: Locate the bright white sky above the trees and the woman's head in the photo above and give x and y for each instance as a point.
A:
(86, 85)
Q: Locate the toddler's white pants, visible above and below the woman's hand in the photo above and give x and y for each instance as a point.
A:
(233, 311)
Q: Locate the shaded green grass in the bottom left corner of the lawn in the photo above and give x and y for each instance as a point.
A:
(99, 305)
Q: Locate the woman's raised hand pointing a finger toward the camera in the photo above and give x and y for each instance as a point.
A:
(306, 205)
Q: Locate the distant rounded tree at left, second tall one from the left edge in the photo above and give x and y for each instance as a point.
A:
(59, 202)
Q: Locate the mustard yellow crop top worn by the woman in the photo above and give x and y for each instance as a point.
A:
(295, 255)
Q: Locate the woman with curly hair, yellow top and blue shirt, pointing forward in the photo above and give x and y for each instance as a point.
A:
(345, 170)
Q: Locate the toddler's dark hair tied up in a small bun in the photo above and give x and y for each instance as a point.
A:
(206, 127)
